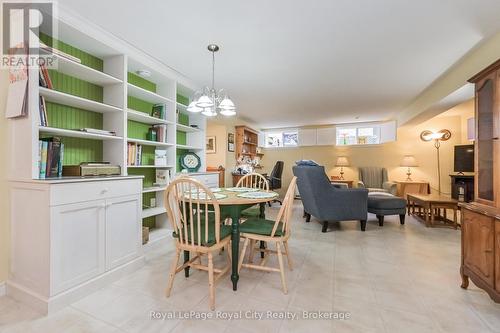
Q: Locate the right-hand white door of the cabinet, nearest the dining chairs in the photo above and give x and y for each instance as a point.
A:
(123, 230)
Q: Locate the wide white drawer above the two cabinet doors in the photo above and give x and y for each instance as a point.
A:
(61, 194)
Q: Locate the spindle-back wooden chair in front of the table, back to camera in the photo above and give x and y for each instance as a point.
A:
(194, 214)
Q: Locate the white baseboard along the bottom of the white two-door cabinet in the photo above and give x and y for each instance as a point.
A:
(52, 304)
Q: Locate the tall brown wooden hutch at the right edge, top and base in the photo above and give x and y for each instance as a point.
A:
(481, 218)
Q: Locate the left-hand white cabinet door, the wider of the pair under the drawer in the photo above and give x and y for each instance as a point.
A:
(77, 243)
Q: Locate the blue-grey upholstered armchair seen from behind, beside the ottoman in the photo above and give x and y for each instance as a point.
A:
(327, 202)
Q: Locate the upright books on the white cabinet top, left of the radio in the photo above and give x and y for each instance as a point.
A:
(50, 157)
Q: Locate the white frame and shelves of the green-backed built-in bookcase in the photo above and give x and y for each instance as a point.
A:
(119, 58)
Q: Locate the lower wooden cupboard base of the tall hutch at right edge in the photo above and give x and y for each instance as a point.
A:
(481, 249)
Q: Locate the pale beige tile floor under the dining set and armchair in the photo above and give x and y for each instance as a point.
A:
(390, 279)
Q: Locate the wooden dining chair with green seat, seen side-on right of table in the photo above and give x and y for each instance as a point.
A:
(278, 232)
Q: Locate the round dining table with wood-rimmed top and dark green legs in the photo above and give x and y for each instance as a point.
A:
(232, 206)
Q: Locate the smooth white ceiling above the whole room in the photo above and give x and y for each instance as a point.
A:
(292, 63)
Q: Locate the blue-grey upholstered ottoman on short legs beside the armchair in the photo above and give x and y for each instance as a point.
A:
(382, 204)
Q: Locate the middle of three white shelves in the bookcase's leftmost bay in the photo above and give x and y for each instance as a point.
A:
(58, 97)
